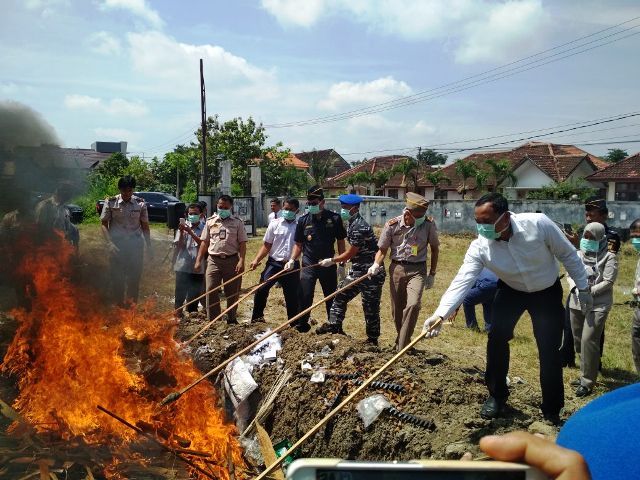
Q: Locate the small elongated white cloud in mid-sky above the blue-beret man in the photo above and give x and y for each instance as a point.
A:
(349, 94)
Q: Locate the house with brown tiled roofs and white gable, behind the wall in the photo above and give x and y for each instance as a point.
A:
(533, 164)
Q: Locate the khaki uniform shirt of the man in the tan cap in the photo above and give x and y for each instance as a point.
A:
(408, 243)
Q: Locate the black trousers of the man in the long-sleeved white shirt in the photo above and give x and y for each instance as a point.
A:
(547, 315)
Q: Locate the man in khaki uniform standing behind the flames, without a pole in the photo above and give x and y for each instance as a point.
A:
(125, 221)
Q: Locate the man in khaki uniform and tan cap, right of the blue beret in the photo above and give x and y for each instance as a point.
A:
(408, 236)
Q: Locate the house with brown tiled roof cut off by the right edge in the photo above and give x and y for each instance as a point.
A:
(621, 179)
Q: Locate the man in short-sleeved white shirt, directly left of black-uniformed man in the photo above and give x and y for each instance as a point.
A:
(278, 243)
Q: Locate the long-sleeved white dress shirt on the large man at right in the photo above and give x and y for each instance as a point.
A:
(527, 262)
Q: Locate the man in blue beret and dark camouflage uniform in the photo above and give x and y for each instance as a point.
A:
(362, 251)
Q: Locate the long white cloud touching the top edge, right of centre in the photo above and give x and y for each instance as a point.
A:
(479, 30)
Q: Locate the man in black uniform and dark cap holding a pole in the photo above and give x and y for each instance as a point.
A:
(315, 235)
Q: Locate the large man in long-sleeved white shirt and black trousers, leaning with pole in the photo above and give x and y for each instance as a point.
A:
(521, 249)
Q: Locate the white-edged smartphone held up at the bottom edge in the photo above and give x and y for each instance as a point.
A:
(335, 469)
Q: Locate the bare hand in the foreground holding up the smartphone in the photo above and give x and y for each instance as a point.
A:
(553, 460)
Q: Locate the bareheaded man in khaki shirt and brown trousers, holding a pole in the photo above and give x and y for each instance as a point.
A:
(225, 239)
